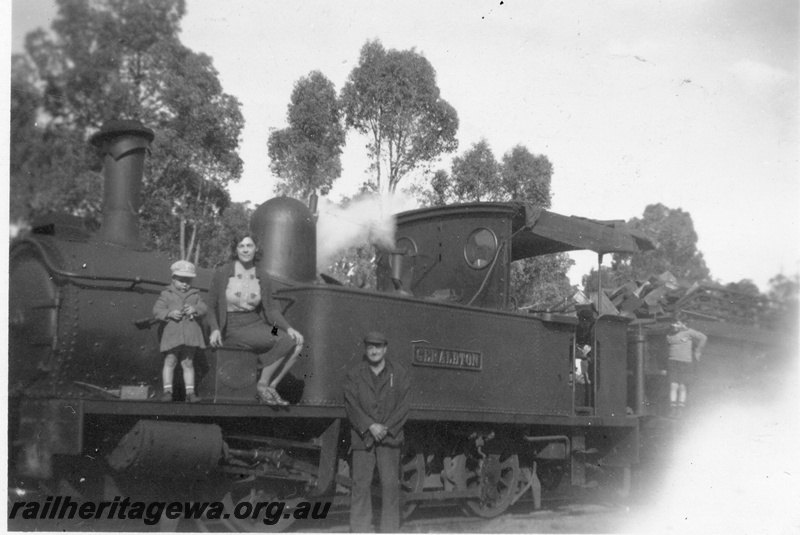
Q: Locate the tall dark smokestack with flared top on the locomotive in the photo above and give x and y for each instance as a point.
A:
(123, 145)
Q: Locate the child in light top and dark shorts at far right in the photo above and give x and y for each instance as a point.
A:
(685, 348)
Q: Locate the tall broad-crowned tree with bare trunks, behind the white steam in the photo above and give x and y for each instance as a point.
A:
(392, 97)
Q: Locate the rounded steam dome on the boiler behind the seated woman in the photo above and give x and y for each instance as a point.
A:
(286, 233)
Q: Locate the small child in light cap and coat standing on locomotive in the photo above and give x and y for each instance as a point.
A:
(180, 306)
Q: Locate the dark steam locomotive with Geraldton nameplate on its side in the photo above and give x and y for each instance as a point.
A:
(497, 413)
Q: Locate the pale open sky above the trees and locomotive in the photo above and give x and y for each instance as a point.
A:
(692, 104)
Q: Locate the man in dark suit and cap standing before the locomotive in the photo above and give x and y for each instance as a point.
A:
(376, 400)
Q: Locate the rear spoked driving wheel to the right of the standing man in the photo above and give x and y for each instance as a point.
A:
(498, 482)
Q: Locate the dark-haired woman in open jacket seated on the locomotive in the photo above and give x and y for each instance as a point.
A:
(241, 307)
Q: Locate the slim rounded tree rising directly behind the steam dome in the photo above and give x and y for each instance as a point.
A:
(305, 156)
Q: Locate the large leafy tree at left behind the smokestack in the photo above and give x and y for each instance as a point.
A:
(122, 59)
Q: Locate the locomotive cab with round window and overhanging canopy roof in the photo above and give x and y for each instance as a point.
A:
(463, 253)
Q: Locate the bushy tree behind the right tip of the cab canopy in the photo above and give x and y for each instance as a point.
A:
(676, 250)
